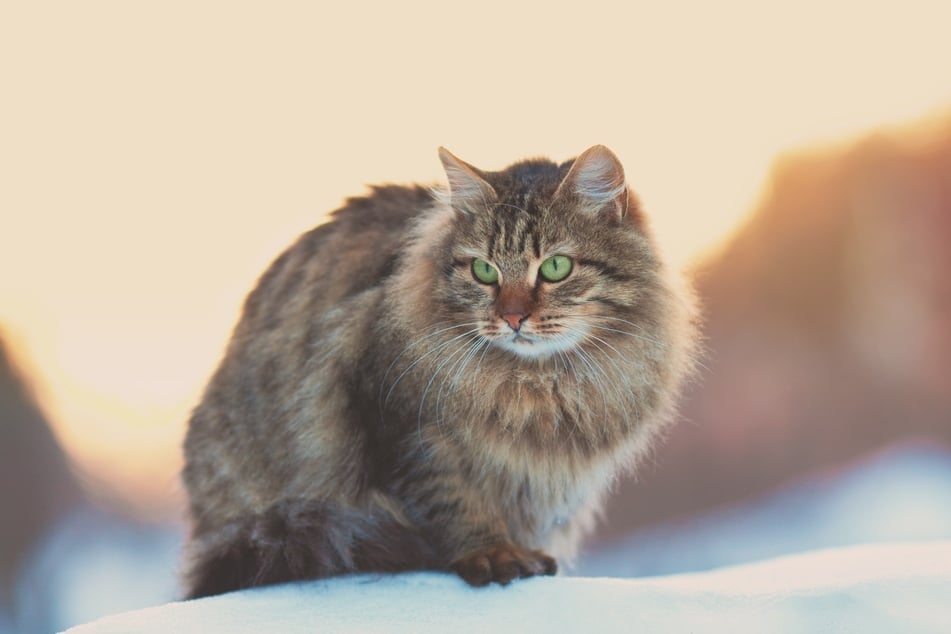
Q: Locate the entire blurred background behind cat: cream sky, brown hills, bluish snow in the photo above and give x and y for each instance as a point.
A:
(155, 158)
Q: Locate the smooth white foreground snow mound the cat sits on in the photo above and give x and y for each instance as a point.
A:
(871, 588)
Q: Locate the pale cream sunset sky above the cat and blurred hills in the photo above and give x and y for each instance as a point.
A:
(154, 158)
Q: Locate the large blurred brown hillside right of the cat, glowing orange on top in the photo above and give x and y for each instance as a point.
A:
(828, 323)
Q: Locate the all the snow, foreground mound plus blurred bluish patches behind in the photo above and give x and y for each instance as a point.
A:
(896, 506)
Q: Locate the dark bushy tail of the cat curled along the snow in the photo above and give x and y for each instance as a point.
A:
(303, 539)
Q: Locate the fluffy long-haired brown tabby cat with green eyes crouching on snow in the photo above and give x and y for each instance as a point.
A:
(445, 379)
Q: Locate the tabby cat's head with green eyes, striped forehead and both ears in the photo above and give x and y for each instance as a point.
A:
(543, 258)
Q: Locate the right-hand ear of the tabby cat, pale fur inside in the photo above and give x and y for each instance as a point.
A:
(595, 183)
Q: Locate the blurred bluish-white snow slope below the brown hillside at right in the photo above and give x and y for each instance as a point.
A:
(900, 494)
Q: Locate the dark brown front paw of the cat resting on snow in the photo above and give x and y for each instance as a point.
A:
(502, 563)
